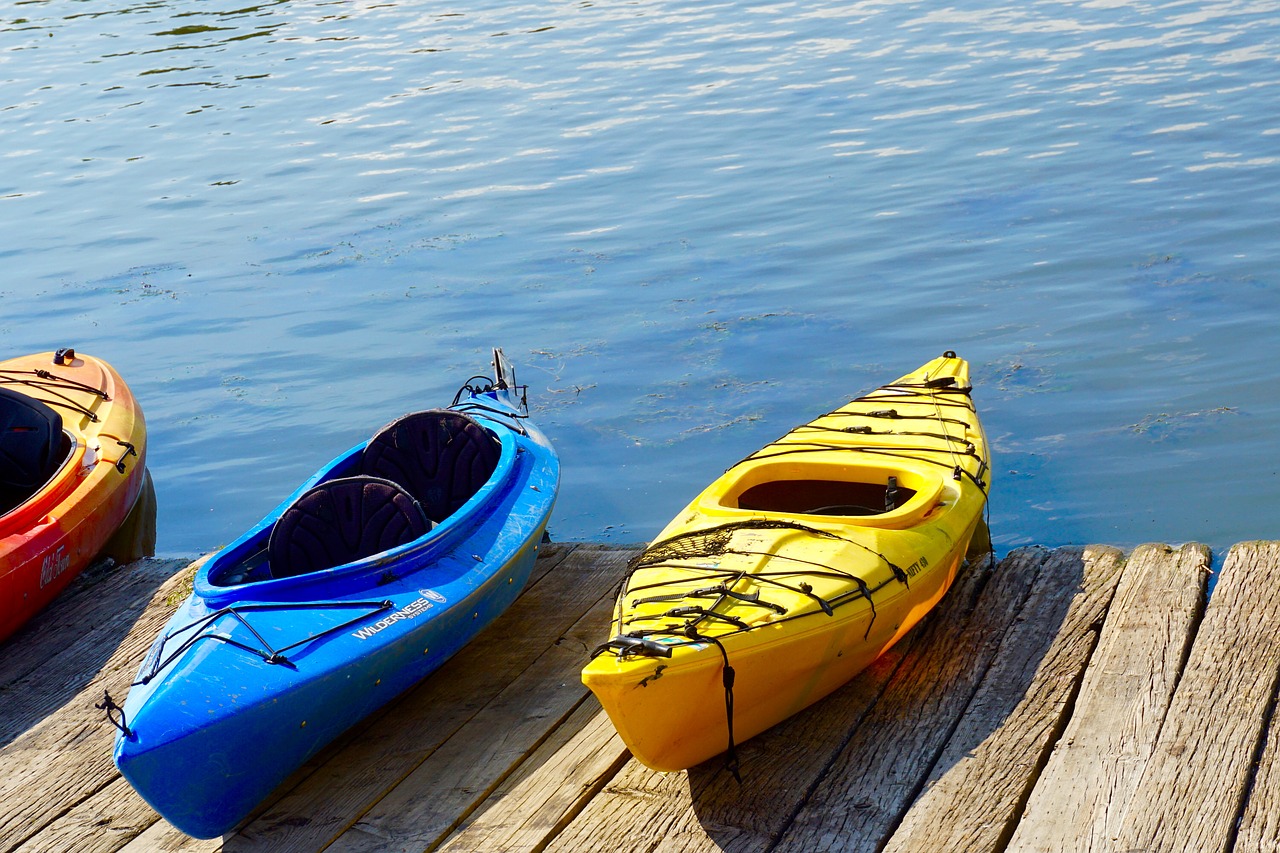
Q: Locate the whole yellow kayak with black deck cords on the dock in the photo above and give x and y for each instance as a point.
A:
(796, 571)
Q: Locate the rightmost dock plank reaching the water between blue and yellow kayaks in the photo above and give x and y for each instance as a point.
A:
(450, 784)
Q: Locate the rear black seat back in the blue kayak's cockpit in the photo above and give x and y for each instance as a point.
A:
(441, 458)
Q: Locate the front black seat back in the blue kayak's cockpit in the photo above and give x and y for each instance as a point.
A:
(344, 521)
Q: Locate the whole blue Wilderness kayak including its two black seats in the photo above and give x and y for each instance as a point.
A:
(367, 580)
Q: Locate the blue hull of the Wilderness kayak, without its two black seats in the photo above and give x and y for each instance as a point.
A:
(250, 679)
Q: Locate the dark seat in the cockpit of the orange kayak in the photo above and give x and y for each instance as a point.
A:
(31, 446)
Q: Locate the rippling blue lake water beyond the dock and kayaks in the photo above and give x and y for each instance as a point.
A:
(691, 225)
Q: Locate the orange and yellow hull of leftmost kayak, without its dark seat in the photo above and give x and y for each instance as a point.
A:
(48, 540)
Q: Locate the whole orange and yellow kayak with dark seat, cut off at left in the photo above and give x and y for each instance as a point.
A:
(72, 464)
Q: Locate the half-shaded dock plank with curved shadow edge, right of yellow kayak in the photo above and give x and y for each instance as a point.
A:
(1011, 726)
